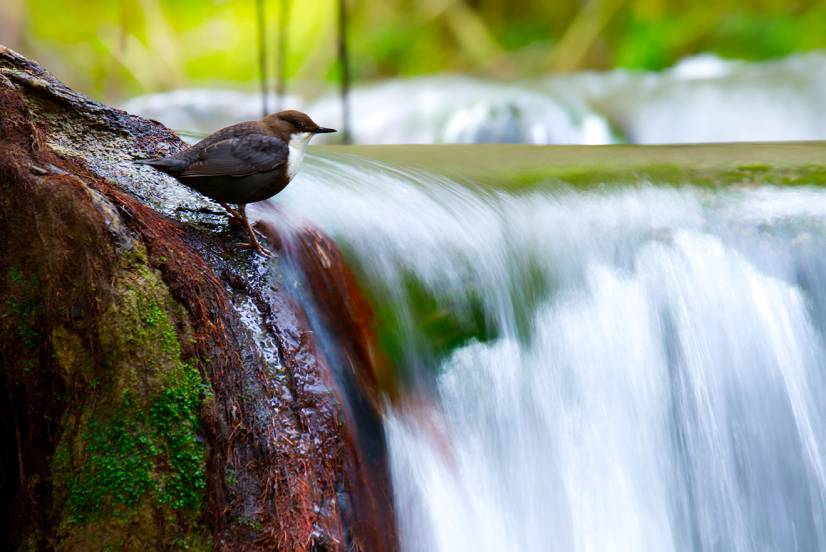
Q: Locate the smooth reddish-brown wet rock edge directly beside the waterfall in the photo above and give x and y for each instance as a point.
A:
(361, 370)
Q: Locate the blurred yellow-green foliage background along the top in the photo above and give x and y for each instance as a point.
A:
(113, 49)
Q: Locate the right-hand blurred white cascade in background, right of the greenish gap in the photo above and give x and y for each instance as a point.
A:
(706, 99)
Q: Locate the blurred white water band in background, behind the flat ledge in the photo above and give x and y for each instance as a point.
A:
(702, 99)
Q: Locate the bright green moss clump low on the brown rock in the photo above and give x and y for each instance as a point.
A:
(136, 452)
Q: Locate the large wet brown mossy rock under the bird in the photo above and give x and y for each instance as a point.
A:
(161, 388)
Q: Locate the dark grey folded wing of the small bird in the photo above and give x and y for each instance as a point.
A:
(239, 156)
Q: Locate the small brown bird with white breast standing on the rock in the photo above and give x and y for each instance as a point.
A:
(244, 163)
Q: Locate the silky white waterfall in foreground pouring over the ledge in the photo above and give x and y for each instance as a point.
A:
(664, 392)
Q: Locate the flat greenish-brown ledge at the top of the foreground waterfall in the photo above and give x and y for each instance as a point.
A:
(517, 168)
